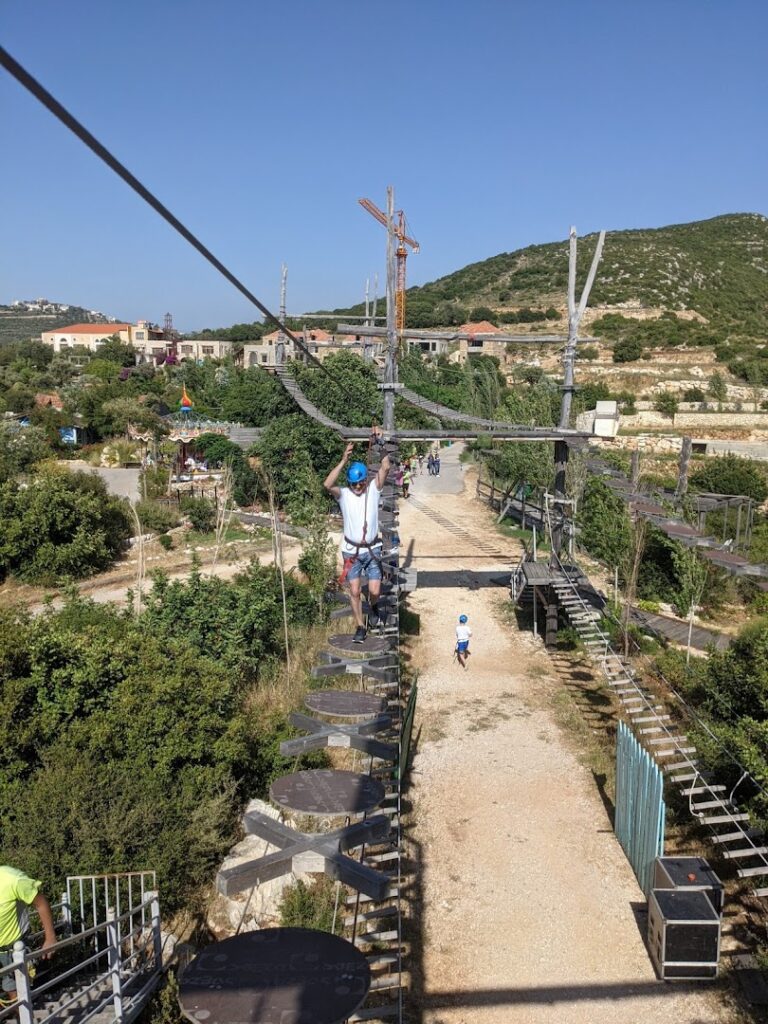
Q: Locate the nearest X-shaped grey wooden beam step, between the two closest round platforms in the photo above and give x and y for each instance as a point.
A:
(309, 852)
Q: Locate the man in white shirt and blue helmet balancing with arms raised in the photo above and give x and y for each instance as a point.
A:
(361, 546)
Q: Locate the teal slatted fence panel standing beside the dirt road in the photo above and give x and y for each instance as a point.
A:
(641, 807)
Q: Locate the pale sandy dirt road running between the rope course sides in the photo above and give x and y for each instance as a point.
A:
(530, 910)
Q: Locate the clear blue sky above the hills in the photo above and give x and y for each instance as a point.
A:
(499, 122)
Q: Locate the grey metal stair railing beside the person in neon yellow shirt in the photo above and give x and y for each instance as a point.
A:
(109, 958)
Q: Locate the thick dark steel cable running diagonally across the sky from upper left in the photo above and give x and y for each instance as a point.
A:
(60, 112)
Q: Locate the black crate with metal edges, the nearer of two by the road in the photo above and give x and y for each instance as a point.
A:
(684, 934)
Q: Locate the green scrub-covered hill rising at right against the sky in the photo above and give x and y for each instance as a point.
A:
(717, 269)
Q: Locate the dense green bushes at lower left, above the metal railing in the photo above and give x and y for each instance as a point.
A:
(132, 743)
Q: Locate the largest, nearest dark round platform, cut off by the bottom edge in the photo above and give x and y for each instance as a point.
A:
(276, 975)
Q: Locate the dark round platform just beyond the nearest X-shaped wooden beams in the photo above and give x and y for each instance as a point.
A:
(323, 791)
